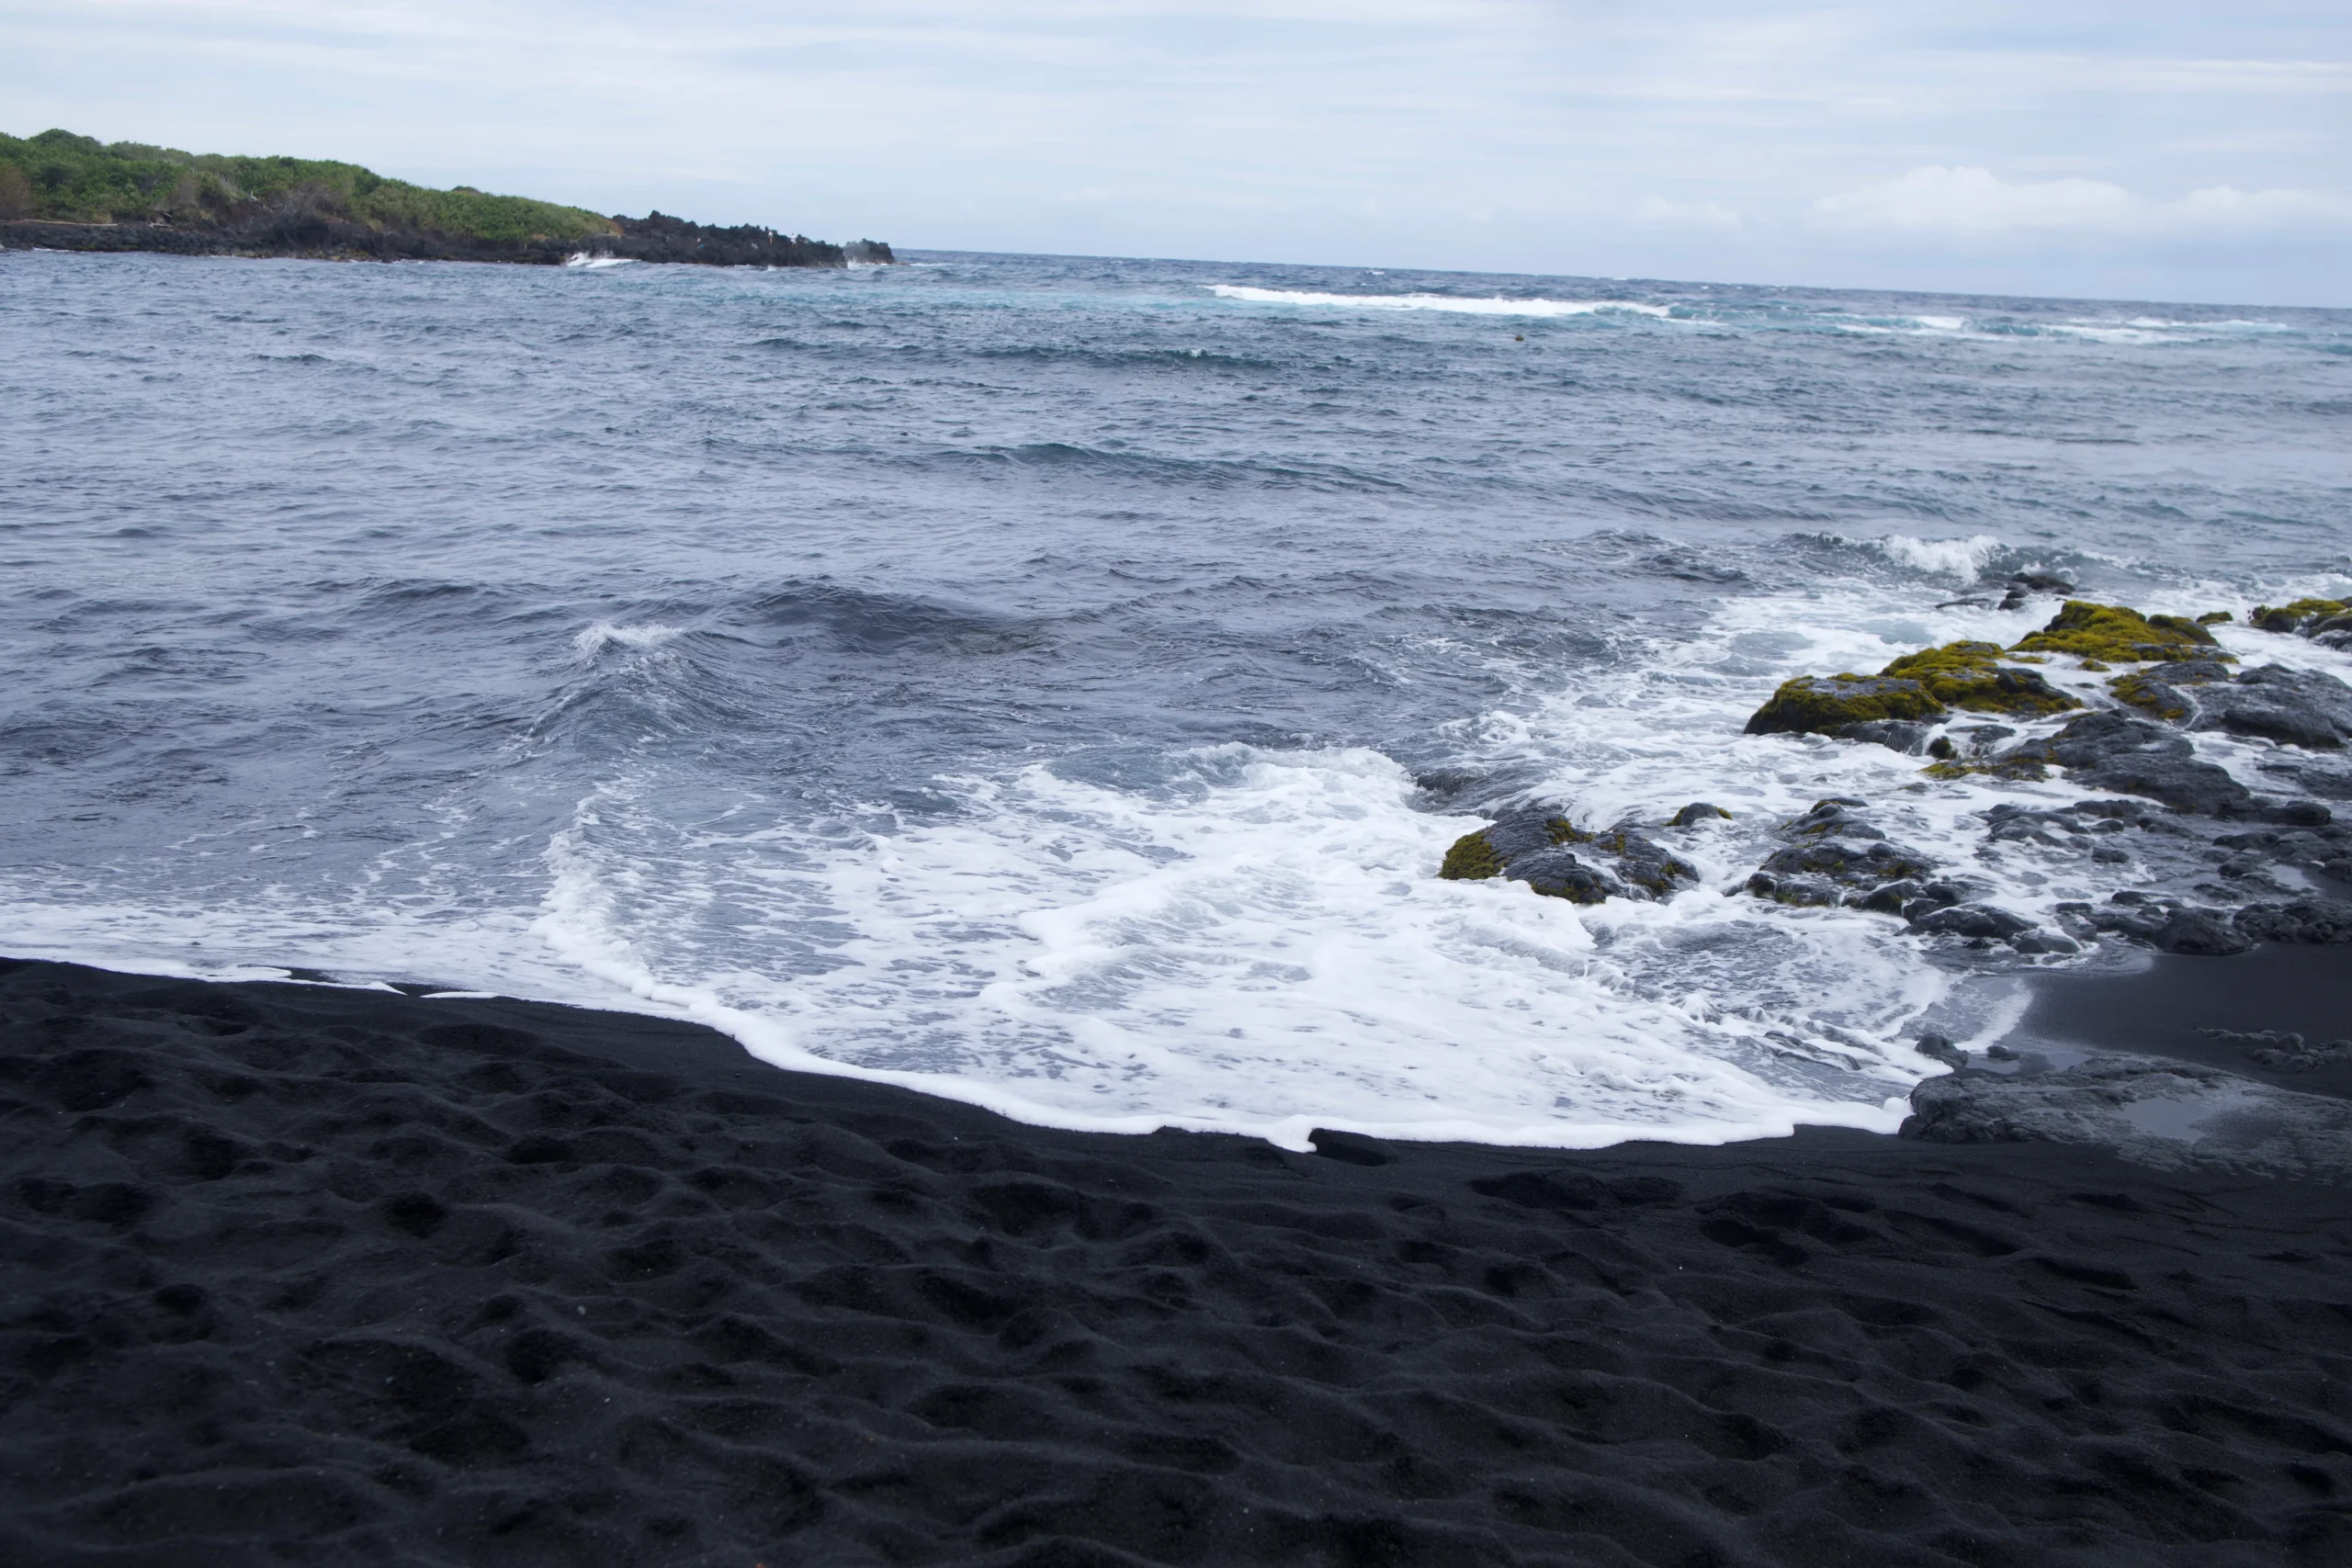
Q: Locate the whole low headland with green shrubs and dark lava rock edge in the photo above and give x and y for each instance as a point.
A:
(65, 192)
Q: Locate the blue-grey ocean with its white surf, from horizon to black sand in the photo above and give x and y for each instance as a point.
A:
(1055, 683)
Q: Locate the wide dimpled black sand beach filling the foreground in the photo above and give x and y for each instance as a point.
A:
(312, 1275)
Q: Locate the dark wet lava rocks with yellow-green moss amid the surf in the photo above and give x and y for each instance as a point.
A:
(2226, 866)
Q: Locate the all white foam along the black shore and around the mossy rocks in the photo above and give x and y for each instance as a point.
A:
(1257, 942)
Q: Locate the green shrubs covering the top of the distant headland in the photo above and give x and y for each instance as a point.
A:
(76, 180)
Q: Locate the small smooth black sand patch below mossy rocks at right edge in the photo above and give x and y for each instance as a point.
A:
(2167, 1007)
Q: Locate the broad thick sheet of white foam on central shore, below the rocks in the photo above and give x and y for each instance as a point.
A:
(1264, 951)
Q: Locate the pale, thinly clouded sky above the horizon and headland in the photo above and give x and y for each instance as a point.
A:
(2158, 152)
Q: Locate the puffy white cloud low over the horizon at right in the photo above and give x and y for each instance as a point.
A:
(1967, 201)
